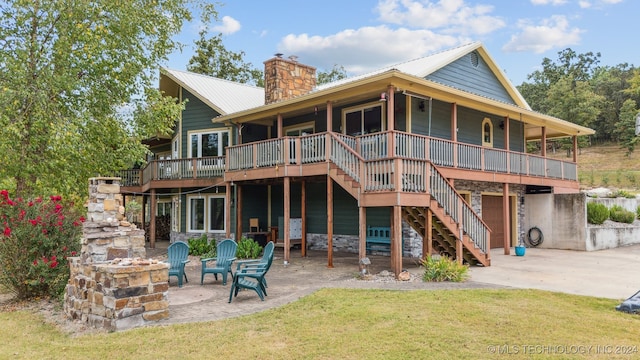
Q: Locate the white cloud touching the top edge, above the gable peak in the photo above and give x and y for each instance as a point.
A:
(447, 16)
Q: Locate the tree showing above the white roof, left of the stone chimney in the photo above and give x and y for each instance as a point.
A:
(213, 59)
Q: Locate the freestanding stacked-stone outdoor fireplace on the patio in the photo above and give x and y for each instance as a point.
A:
(112, 286)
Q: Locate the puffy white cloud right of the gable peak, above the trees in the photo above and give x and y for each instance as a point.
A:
(551, 33)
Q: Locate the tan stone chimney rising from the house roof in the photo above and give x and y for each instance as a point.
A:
(287, 78)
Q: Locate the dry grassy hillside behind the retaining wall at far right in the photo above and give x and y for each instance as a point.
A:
(607, 166)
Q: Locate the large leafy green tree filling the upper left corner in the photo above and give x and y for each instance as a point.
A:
(66, 70)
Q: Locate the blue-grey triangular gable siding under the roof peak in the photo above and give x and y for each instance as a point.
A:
(461, 74)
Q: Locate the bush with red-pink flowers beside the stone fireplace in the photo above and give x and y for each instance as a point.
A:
(37, 237)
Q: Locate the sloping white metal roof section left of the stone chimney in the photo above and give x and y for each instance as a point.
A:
(222, 95)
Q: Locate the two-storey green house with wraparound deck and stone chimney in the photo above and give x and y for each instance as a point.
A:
(426, 156)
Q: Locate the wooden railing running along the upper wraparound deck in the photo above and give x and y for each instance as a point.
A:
(373, 149)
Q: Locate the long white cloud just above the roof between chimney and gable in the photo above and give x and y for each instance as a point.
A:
(365, 49)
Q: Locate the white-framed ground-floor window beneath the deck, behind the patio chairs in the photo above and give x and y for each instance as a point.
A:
(206, 213)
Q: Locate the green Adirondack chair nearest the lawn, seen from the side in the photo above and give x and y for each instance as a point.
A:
(252, 276)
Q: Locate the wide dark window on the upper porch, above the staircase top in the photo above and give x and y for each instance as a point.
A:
(361, 120)
